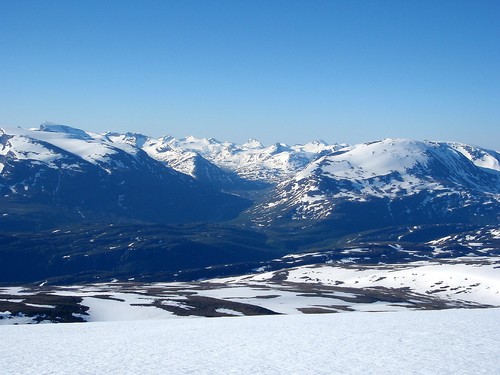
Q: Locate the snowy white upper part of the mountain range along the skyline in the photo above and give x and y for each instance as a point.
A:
(251, 160)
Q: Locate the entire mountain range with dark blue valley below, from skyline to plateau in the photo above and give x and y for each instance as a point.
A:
(267, 200)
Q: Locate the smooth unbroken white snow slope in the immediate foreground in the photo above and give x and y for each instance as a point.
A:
(418, 342)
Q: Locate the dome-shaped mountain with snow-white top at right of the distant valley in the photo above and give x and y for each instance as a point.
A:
(386, 169)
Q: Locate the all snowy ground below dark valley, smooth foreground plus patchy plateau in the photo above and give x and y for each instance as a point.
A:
(316, 319)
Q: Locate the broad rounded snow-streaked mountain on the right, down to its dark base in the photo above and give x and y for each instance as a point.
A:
(395, 178)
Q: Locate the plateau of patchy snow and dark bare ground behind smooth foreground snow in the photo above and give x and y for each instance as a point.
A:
(321, 288)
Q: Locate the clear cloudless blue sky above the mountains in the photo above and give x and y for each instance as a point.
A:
(276, 70)
